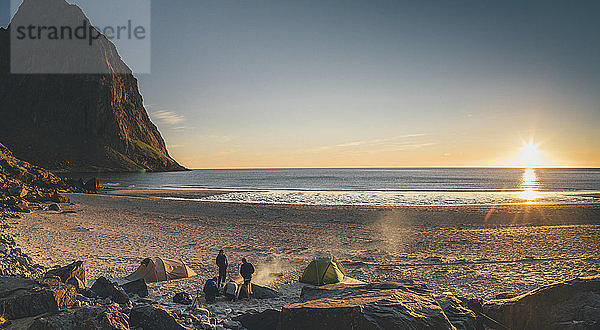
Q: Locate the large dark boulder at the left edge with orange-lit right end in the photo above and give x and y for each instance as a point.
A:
(21, 297)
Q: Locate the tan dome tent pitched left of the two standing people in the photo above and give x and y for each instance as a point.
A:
(159, 269)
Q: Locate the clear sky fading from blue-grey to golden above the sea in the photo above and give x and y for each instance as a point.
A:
(251, 84)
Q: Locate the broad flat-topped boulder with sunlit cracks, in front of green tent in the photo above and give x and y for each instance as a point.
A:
(387, 305)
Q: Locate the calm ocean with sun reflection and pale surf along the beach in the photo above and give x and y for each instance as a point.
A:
(377, 187)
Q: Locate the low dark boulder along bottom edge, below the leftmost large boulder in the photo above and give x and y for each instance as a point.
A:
(94, 317)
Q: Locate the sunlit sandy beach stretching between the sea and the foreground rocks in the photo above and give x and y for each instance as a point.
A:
(473, 251)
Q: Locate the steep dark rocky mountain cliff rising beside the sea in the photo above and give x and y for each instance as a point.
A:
(76, 122)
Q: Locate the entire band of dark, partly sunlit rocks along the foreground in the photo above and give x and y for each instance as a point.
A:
(60, 298)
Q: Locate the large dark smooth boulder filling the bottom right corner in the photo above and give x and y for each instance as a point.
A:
(570, 304)
